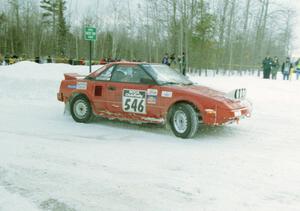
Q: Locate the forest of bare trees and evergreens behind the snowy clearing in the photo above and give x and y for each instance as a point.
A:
(214, 34)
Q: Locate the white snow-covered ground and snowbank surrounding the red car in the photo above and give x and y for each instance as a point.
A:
(49, 162)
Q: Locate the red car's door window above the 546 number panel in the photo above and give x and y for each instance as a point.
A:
(129, 74)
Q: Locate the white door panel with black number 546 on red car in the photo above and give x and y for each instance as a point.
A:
(134, 101)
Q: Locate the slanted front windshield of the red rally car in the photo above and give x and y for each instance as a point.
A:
(165, 75)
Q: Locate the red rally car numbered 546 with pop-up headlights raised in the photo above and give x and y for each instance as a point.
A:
(150, 93)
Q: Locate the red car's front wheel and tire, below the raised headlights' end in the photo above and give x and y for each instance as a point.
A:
(184, 120)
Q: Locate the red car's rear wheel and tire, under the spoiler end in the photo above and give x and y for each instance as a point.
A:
(81, 109)
